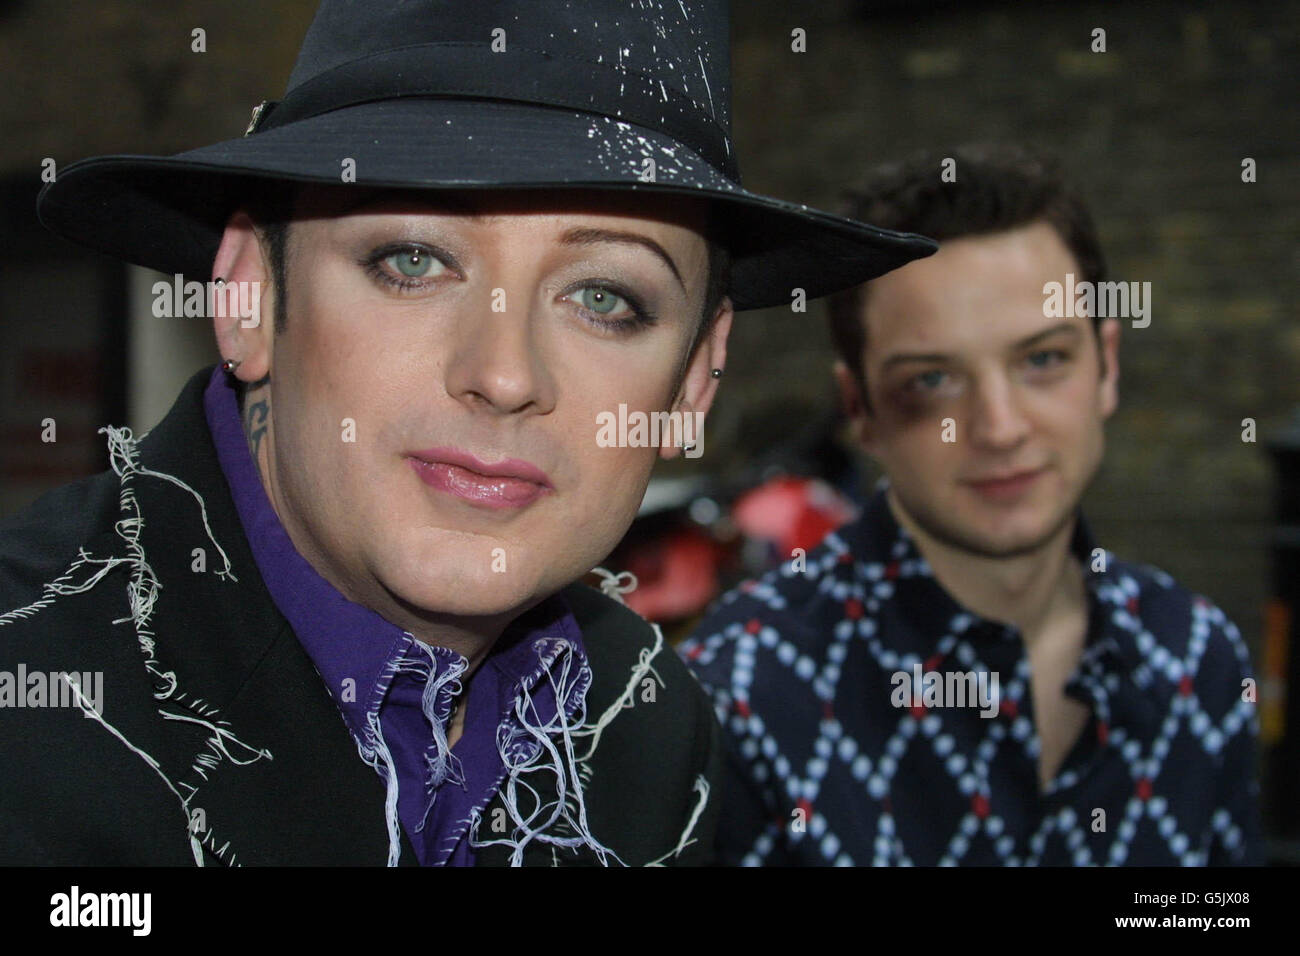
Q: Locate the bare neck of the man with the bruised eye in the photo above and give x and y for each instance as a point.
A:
(1030, 591)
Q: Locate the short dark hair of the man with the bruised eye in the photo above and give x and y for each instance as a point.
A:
(996, 188)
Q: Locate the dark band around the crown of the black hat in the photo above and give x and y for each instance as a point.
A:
(471, 71)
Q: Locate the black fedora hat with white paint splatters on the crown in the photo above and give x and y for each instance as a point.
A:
(474, 94)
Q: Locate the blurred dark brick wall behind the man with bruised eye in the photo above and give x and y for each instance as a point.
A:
(1154, 131)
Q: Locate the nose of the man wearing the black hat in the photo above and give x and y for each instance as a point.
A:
(496, 365)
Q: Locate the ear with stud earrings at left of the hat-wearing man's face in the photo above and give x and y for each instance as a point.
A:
(245, 338)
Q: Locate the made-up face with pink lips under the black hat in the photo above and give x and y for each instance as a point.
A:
(436, 388)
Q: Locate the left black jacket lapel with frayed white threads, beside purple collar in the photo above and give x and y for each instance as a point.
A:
(278, 778)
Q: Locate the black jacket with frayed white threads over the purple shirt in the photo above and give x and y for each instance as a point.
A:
(216, 737)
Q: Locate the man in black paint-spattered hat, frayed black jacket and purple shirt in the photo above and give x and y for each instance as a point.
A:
(484, 227)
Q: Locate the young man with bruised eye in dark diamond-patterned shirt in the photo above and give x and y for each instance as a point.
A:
(964, 677)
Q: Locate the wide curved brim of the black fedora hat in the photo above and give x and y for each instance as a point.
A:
(168, 214)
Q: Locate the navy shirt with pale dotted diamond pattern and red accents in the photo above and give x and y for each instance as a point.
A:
(873, 720)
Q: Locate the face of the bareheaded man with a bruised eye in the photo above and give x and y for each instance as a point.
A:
(986, 416)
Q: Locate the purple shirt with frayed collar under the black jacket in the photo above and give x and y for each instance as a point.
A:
(395, 691)
